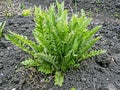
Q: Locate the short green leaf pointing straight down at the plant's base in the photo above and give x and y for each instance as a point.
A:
(59, 79)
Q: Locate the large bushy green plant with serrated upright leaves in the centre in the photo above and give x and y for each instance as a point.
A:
(60, 43)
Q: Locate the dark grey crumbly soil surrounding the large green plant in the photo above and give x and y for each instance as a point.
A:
(97, 73)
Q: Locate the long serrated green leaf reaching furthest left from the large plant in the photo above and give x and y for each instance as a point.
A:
(23, 43)
